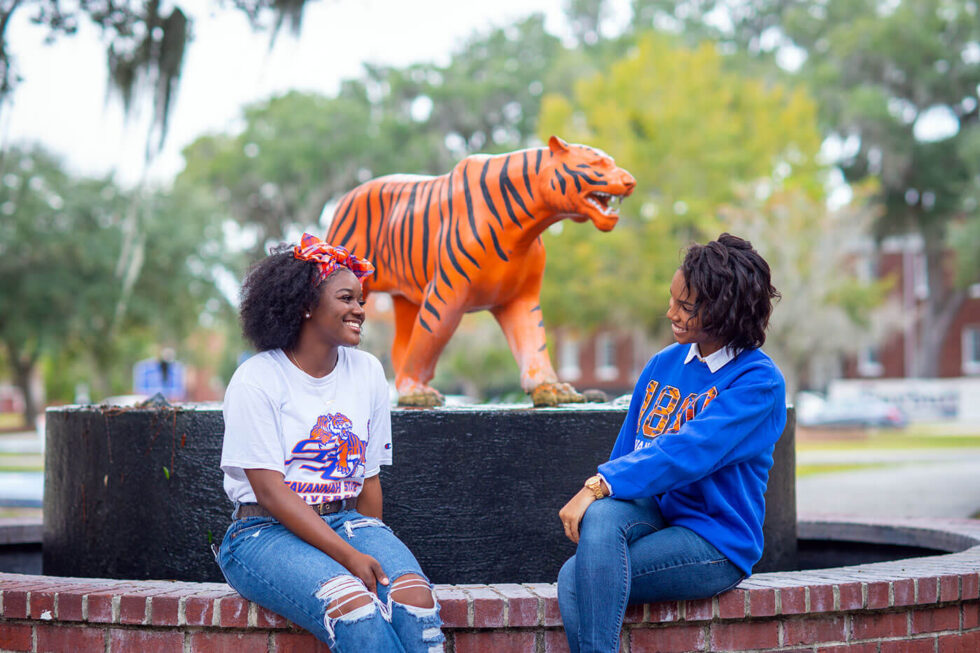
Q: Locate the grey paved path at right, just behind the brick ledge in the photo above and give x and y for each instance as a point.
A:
(913, 483)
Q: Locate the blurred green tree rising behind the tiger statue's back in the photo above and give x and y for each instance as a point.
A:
(299, 151)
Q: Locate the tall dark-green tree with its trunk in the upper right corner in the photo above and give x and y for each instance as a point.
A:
(897, 85)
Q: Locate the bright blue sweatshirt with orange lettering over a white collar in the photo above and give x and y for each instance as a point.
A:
(701, 443)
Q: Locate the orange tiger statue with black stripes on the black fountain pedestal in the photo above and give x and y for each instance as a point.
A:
(471, 240)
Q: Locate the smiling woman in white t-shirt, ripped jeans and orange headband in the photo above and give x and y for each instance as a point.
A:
(307, 428)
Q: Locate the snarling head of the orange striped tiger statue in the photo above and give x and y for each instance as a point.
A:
(584, 183)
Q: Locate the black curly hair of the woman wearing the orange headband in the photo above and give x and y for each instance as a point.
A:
(276, 293)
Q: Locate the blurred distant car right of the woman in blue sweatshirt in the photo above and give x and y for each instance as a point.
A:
(862, 411)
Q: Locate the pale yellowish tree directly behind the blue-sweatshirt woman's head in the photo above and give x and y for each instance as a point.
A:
(826, 310)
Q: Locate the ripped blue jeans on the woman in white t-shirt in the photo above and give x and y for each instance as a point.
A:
(266, 563)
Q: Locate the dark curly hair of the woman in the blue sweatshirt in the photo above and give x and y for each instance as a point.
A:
(733, 292)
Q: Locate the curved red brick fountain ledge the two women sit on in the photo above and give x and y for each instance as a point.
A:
(905, 606)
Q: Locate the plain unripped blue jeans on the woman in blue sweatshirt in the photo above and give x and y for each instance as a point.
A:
(627, 553)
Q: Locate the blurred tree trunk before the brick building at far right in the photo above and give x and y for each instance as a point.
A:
(941, 306)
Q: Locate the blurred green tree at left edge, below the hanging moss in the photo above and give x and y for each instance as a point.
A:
(64, 279)
